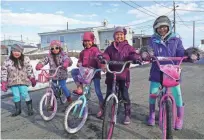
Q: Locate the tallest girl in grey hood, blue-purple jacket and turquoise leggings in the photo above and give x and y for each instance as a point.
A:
(165, 43)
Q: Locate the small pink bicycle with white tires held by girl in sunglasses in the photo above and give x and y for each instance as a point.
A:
(53, 93)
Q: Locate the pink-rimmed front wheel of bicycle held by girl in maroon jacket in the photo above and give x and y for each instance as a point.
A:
(110, 112)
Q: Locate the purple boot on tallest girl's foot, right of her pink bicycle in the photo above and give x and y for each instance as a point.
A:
(179, 119)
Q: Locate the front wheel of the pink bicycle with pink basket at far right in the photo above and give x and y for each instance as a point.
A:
(167, 120)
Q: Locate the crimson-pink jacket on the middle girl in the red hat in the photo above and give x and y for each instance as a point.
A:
(88, 58)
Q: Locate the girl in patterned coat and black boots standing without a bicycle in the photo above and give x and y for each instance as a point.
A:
(17, 73)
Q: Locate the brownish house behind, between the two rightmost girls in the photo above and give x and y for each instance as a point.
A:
(140, 40)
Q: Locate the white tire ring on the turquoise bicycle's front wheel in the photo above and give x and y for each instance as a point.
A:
(67, 112)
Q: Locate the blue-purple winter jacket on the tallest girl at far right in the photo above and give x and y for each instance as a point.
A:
(171, 48)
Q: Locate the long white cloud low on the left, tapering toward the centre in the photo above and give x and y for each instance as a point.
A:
(43, 19)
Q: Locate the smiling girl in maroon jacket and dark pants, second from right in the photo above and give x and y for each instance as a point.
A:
(120, 50)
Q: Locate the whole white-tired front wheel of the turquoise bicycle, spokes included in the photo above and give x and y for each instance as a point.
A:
(73, 122)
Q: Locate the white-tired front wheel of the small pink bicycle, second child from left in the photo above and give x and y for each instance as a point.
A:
(46, 111)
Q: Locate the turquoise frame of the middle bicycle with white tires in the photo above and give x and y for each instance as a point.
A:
(83, 97)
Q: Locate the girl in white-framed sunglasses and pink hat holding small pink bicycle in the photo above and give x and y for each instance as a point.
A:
(57, 57)
